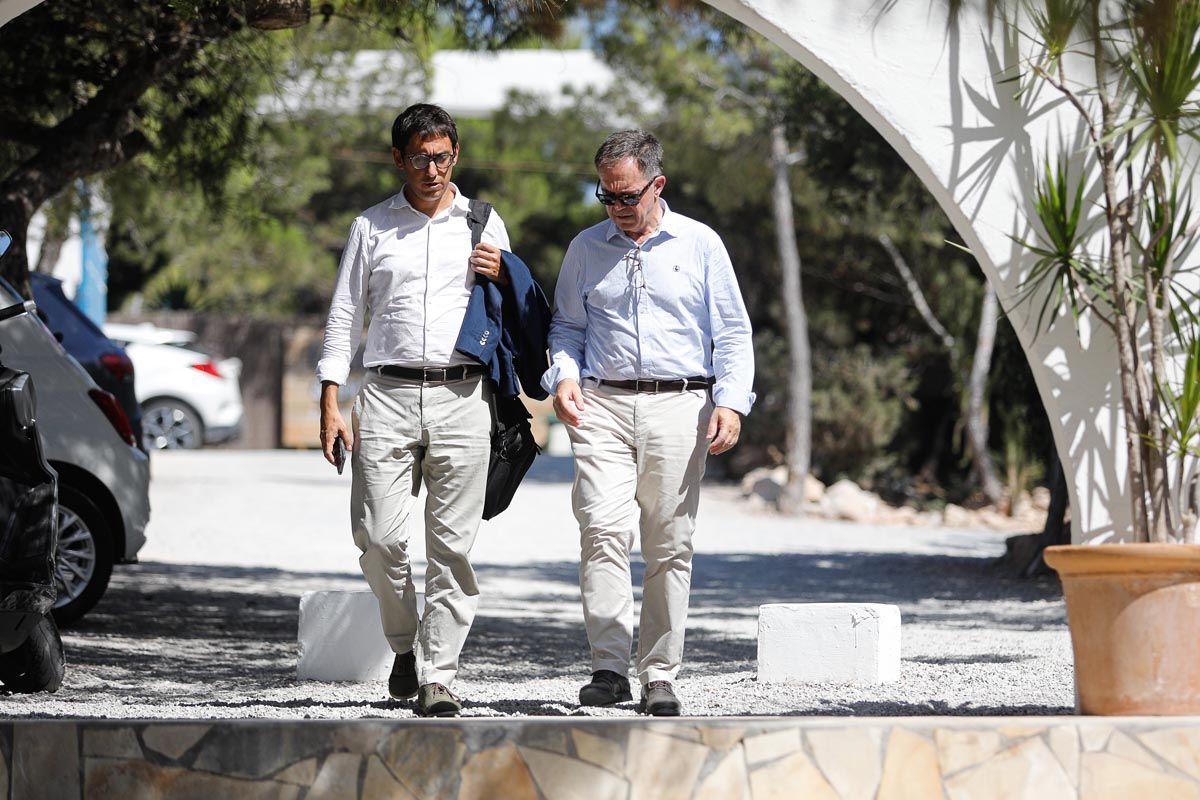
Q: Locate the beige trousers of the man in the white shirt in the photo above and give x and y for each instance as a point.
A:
(410, 432)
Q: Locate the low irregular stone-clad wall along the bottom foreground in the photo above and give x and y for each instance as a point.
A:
(596, 760)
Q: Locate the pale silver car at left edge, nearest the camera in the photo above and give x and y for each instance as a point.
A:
(104, 478)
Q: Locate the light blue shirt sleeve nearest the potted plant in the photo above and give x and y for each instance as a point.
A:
(730, 326)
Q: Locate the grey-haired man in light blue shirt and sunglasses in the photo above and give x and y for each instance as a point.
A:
(652, 368)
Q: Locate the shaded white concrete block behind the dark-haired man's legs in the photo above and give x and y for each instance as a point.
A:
(341, 637)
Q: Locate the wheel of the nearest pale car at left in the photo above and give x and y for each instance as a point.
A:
(83, 562)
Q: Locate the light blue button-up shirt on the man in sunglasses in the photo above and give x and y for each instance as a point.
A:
(682, 317)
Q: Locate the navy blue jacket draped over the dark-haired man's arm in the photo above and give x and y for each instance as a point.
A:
(507, 328)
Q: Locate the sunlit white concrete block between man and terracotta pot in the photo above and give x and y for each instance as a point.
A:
(843, 643)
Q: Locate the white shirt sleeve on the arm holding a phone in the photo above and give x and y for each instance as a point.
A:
(344, 328)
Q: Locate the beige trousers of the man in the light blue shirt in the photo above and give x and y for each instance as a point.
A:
(650, 450)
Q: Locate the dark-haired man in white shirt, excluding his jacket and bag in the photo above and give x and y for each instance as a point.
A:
(409, 270)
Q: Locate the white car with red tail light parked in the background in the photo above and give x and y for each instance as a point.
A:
(189, 398)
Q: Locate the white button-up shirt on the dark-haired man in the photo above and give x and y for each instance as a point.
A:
(411, 273)
